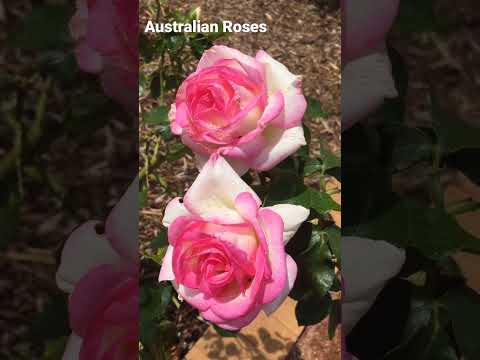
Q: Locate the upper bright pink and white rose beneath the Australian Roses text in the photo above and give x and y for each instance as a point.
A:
(247, 109)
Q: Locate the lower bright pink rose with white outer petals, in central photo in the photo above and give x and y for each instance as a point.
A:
(226, 253)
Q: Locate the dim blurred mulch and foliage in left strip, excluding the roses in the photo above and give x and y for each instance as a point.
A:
(67, 153)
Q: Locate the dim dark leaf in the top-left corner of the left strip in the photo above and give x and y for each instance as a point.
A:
(45, 28)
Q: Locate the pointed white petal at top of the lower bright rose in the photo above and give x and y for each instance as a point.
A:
(213, 193)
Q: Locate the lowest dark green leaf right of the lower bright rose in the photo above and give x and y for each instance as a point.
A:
(312, 309)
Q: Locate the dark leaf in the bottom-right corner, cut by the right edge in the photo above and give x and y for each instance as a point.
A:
(463, 306)
